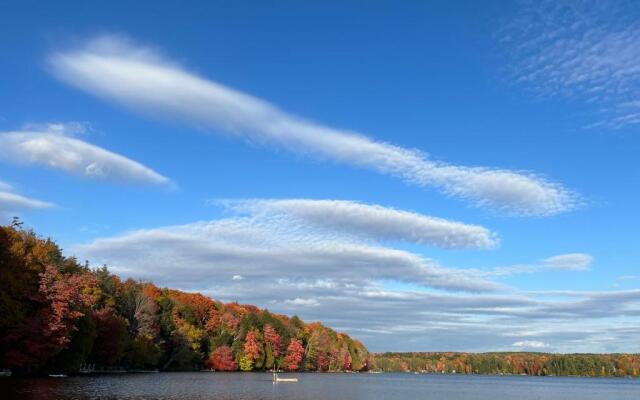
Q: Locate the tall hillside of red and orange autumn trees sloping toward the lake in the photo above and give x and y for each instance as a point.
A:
(57, 314)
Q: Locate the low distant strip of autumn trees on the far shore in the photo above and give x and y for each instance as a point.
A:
(520, 363)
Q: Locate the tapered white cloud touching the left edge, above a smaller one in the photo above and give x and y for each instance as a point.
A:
(56, 149)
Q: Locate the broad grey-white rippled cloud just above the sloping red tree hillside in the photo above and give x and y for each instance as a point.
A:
(256, 249)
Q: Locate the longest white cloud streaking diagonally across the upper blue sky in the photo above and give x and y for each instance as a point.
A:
(139, 78)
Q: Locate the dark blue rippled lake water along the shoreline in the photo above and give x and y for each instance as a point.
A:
(234, 386)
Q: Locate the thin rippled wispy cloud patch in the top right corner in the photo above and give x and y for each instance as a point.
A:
(583, 51)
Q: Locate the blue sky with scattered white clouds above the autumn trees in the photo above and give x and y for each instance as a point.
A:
(463, 177)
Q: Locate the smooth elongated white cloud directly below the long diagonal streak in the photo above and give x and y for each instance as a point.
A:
(373, 221)
